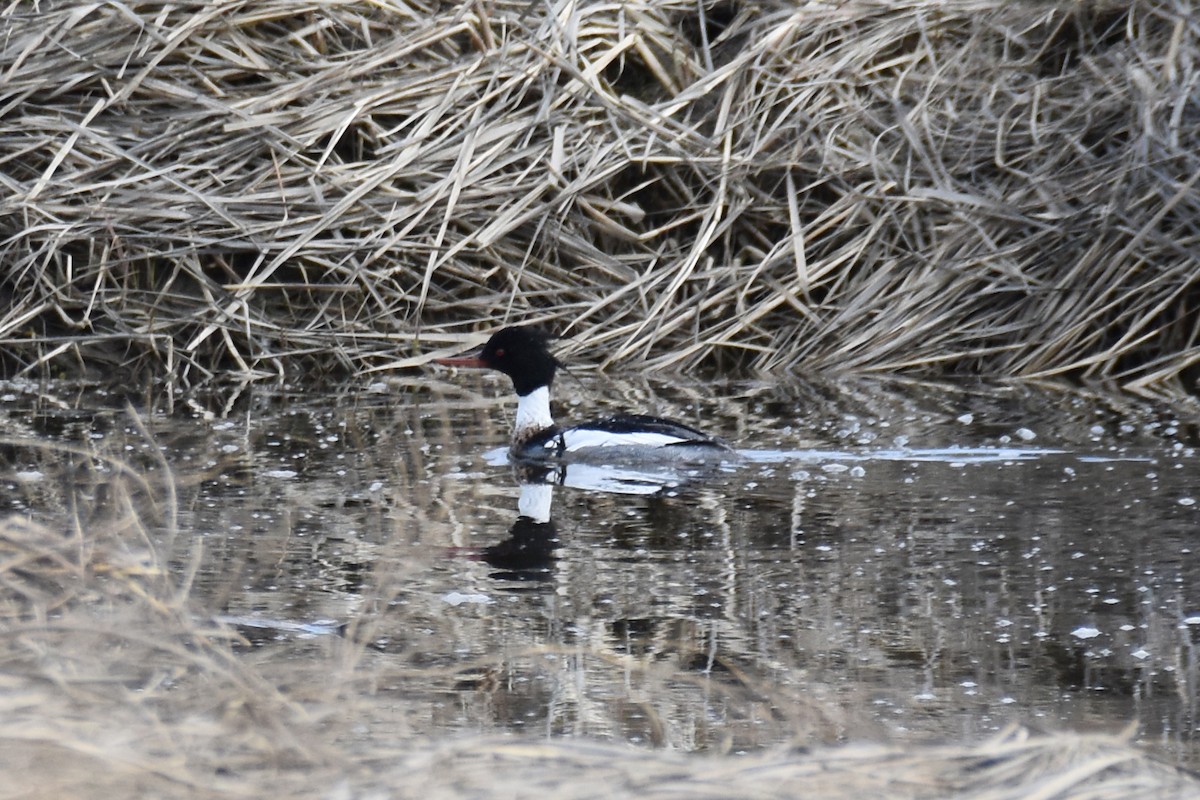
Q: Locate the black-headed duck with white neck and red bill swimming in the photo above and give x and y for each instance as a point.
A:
(524, 356)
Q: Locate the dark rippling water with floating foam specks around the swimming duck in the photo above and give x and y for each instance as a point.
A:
(892, 561)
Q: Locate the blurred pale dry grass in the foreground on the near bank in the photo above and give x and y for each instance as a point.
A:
(118, 682)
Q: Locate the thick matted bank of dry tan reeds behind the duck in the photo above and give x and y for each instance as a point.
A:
(940, 187)
